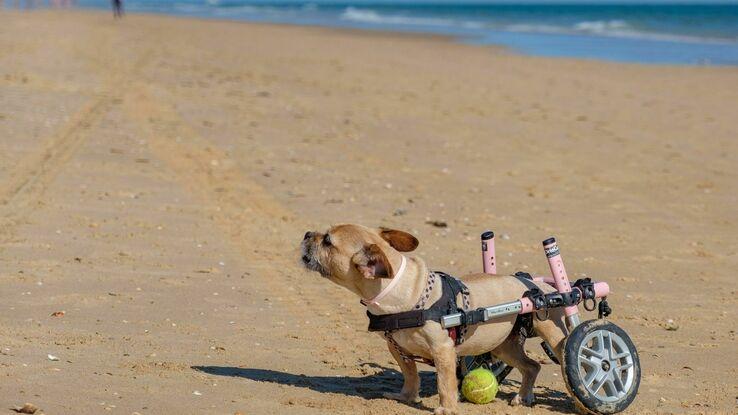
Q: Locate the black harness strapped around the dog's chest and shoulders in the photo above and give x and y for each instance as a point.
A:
(450, 289)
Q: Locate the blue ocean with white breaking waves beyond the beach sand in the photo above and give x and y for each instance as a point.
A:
(691, 34)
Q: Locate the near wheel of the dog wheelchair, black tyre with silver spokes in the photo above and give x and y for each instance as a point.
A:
(601, 367)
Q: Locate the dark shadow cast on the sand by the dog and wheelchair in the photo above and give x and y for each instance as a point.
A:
(373, 386)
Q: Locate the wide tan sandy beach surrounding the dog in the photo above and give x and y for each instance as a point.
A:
(157, 175)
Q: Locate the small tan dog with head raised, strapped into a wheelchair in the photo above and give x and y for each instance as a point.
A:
(365, 261)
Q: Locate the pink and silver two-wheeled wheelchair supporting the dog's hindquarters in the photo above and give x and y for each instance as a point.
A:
(601, 368)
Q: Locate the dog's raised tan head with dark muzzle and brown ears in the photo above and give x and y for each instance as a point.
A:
(345, 253)
